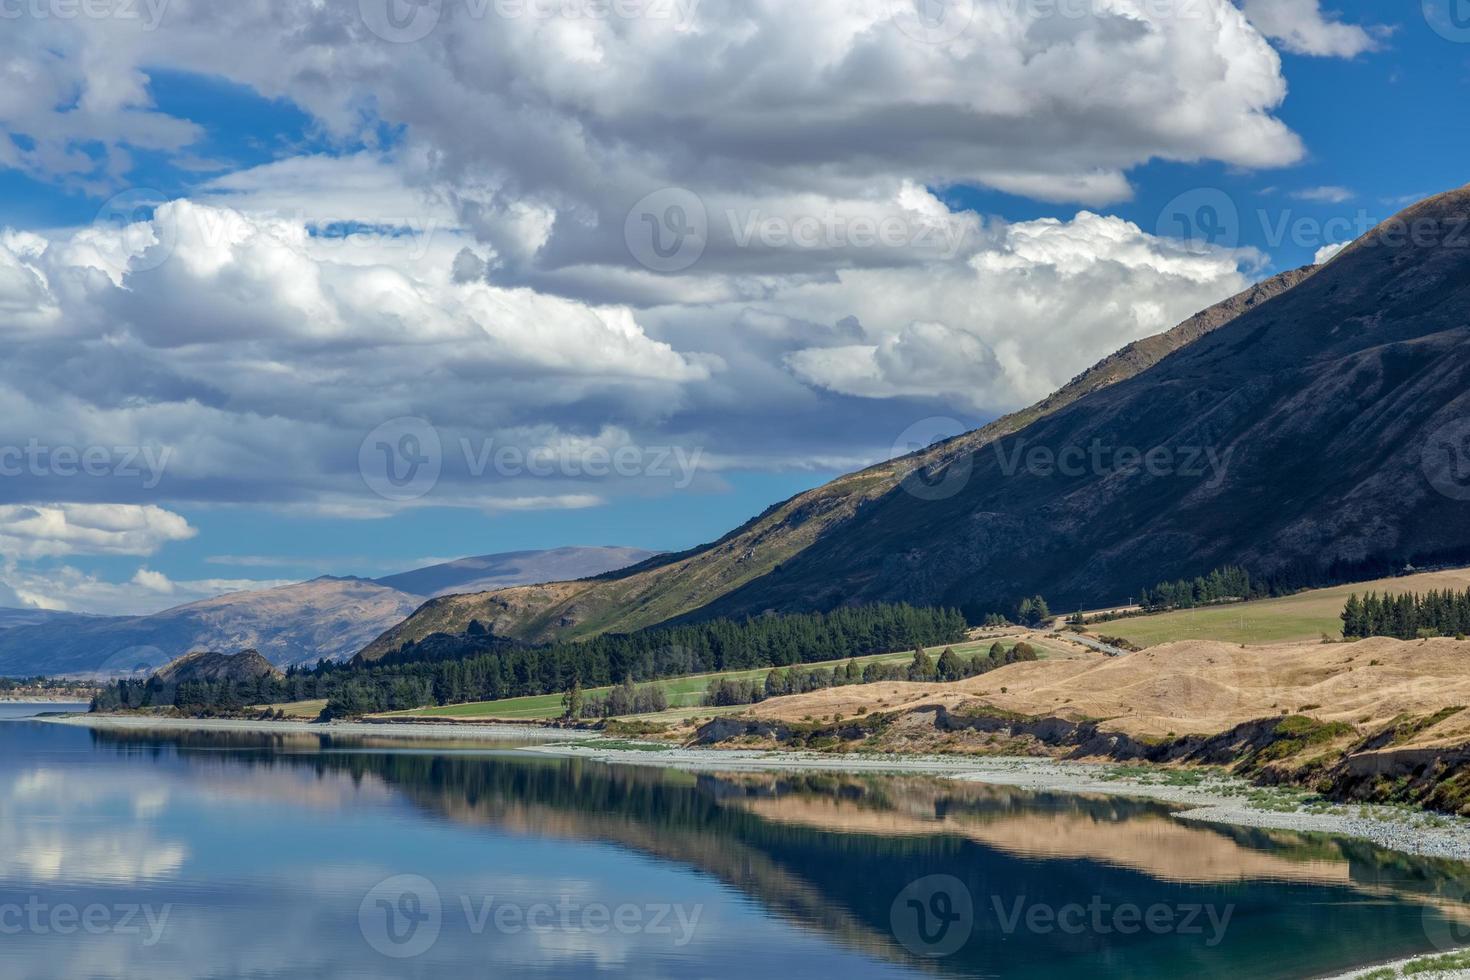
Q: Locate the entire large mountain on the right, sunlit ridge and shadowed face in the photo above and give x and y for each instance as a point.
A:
(1315, 428)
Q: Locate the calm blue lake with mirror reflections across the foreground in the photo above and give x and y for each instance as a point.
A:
(162, 856)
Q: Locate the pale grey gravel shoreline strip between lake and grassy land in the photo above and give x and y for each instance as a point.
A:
(1208, 797)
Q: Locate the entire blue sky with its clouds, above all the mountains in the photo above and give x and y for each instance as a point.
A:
(265, 362)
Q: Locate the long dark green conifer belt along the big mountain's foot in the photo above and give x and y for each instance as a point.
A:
(492, 671)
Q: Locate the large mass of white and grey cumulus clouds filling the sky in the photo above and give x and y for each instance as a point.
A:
(496, 268)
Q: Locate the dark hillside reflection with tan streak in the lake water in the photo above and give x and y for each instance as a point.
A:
(831, 851)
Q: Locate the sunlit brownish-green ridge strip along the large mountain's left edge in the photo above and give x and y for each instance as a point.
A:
(670, 587)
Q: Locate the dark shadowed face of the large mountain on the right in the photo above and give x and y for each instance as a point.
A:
(1338, 414)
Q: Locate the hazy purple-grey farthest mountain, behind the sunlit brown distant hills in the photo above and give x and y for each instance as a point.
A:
(486, 574)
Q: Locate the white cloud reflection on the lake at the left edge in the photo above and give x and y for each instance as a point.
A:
(62, 828)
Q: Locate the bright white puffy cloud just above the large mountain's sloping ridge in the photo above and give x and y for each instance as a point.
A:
(1022, 318)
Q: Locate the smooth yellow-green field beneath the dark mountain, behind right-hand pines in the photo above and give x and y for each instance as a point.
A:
(1296, 618)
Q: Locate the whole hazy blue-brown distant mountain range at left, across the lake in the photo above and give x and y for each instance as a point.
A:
(331, 618)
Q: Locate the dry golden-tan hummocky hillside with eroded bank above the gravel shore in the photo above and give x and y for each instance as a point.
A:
(1378, 719)
